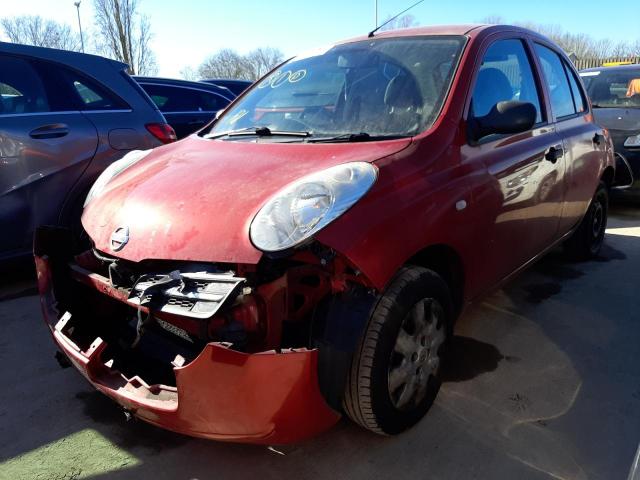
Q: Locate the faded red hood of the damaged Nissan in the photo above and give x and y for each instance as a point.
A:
(195, 199)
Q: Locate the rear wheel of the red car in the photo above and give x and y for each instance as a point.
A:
(587, 240)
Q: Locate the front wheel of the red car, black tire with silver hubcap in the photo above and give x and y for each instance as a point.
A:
(370, 399)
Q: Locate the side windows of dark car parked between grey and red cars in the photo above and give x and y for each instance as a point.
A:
(179, 99)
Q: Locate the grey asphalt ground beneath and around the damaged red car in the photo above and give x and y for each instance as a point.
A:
(544, 383)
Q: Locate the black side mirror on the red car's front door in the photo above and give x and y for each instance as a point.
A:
(505, 117)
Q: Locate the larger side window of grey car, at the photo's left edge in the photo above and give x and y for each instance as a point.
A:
(21, 89)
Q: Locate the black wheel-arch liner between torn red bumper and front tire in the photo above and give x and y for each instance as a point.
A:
(338, 326)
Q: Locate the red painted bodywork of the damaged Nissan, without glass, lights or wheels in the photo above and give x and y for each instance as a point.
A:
(194, 201)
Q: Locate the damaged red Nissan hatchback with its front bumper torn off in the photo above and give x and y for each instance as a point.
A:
(307, 253)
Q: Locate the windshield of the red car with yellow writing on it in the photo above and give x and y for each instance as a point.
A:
(381, 87)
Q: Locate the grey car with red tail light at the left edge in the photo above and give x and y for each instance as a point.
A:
(64, 117)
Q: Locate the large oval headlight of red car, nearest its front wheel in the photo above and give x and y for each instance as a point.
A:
(307, 205)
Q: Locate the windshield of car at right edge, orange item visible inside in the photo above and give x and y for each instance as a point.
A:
(613, 88)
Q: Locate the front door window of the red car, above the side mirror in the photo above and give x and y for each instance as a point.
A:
(505, 74)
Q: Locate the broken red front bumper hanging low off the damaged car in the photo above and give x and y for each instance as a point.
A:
(265, 398)
